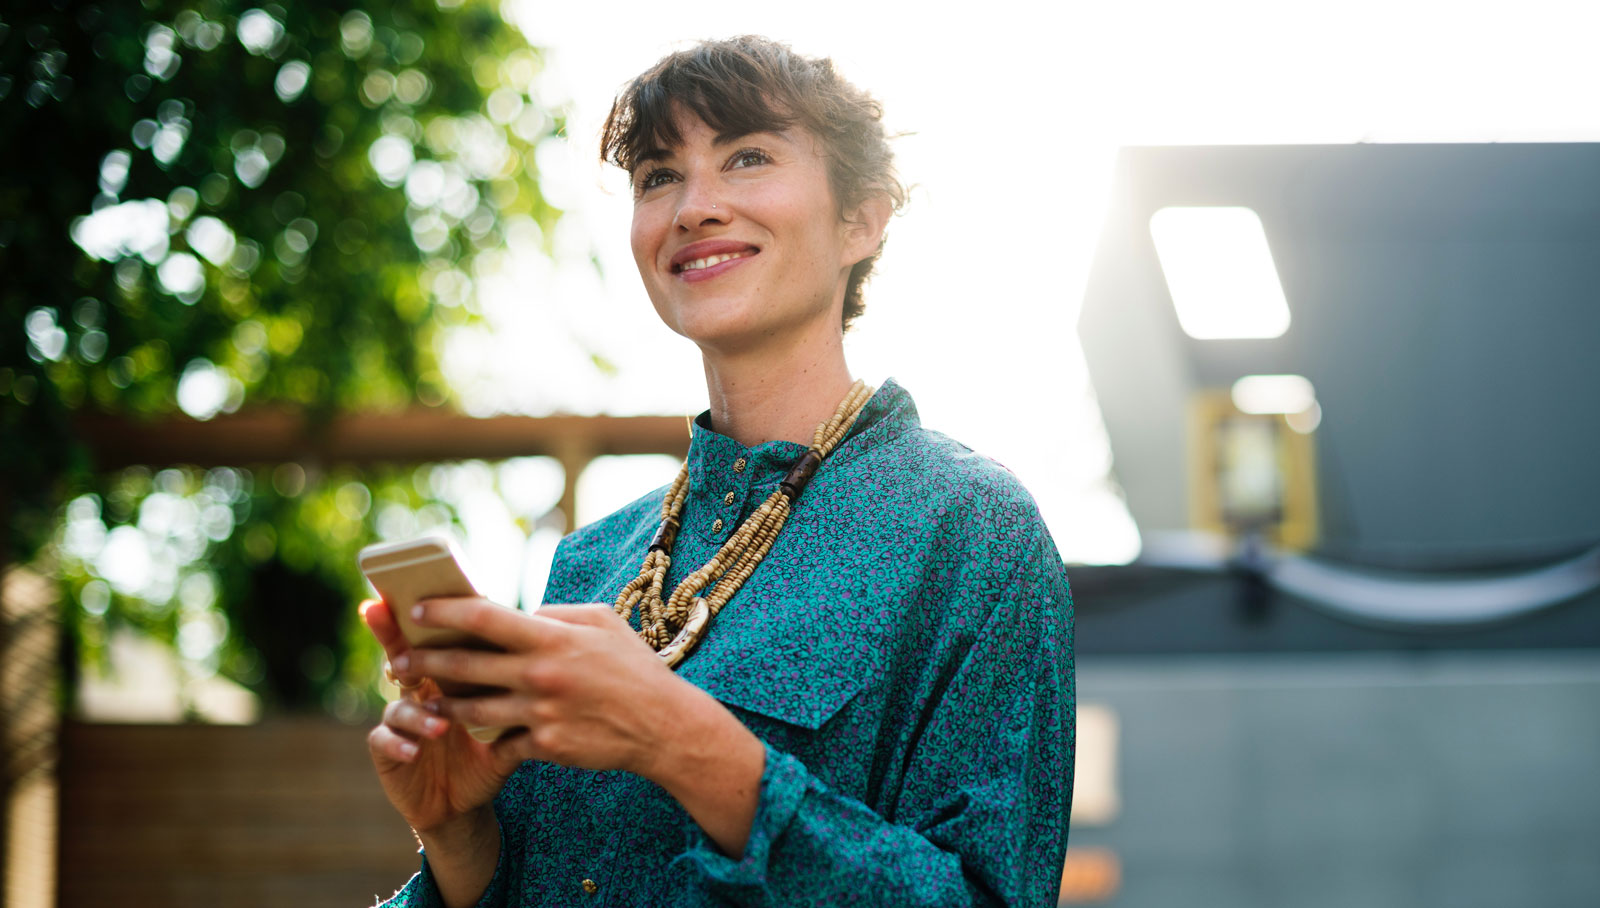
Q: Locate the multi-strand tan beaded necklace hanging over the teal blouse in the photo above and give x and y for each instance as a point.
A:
(673, 627)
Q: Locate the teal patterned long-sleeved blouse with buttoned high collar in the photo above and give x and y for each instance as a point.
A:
(905, 651)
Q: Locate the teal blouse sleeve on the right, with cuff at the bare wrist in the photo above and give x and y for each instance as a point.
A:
(985, 805)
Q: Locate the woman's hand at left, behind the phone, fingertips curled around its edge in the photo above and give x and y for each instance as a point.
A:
(433, 771)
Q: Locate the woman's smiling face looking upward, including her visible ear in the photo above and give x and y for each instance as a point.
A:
(740, 241)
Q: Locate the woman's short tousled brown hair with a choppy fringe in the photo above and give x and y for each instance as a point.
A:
(758, 86)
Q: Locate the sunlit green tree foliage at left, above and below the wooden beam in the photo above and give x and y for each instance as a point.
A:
(210, 205)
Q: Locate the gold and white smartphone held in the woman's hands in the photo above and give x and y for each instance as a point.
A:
(428, 568)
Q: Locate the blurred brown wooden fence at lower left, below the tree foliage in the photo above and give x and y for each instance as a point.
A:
(282, 814)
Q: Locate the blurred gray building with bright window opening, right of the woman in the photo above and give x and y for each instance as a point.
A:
(1402, 704)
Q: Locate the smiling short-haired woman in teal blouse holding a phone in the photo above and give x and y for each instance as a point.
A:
(838, 663)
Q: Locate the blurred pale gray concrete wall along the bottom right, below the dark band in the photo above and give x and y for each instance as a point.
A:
(1364, 781)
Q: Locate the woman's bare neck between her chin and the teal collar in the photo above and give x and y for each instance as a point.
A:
(777, 396)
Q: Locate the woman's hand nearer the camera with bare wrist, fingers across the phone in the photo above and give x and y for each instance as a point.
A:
(586, 691)
